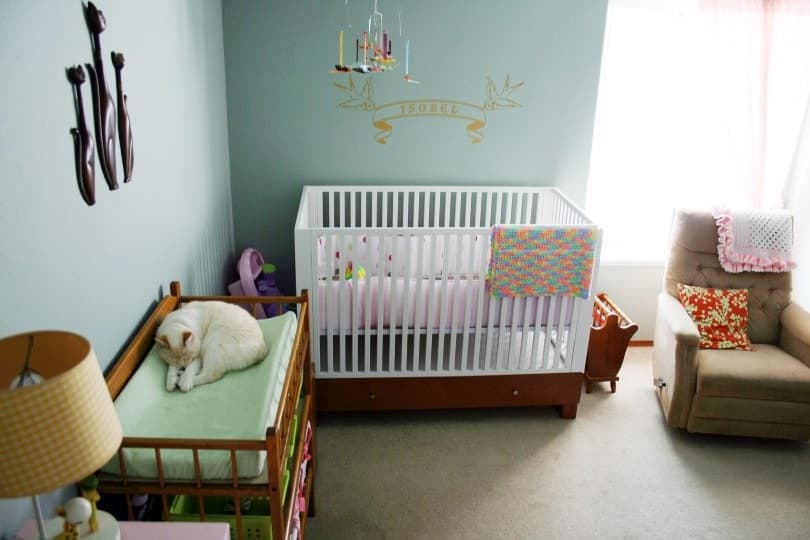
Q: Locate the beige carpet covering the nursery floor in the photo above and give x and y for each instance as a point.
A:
(616, 471)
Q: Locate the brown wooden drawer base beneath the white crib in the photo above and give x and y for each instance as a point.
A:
(400, 393)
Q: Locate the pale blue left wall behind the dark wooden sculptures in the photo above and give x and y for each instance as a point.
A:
(96, 270)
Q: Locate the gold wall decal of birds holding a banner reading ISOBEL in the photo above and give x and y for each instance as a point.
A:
(474, 115)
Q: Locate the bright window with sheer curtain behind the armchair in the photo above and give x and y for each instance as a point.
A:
(701, 103)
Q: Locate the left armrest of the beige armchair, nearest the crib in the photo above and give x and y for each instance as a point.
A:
(675, 345)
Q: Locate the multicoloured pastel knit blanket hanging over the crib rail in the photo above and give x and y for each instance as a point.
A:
(541, 260)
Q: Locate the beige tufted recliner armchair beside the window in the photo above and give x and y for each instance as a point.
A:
(764, 393)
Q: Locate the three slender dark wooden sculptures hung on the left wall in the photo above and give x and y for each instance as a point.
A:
(104, 115)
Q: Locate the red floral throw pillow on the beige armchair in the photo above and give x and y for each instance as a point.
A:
(721, 316)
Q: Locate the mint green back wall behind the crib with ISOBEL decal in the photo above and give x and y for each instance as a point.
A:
(287, 131)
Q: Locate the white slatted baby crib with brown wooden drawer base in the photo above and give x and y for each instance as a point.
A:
(401, 312)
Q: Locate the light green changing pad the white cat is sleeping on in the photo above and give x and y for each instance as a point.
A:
(241, 405)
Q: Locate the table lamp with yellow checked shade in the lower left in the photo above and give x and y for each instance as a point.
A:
(57, 418)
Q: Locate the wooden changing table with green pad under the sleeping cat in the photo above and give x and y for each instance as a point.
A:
(260, 480)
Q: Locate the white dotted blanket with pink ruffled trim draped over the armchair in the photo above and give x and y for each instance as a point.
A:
(754, 240)
